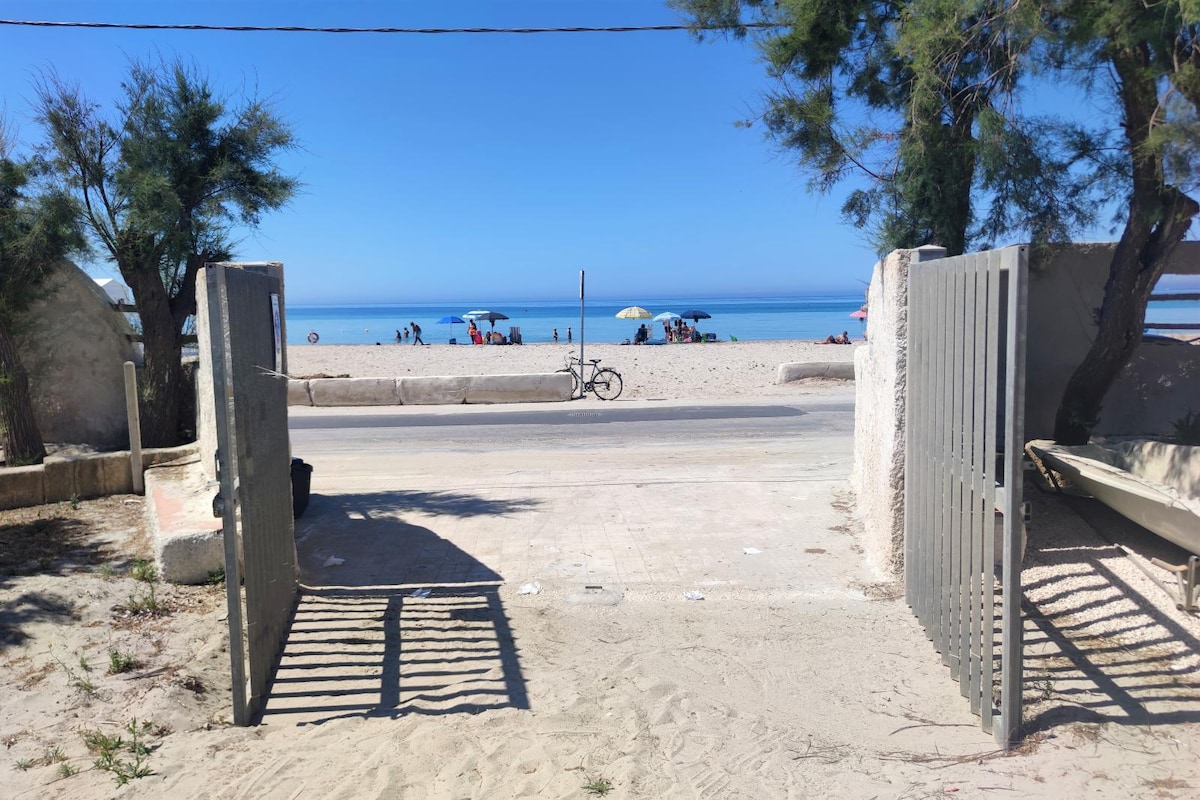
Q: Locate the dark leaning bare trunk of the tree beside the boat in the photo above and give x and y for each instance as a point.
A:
(1160, 218)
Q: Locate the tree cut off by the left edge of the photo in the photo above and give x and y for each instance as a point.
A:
(35, 233)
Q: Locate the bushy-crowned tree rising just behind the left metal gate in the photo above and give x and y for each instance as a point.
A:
(161, 185)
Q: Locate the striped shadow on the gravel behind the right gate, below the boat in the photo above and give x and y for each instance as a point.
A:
(1097, 649)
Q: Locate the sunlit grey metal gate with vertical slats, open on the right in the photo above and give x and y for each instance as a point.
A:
(963, 472)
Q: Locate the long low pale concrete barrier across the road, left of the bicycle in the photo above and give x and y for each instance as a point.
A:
(439, 390)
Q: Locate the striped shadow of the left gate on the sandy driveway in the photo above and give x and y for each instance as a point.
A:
(394, 619)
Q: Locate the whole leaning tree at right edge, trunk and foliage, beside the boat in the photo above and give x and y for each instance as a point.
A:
(1151, 55)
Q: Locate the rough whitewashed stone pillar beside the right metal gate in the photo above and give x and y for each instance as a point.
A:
(880, 376)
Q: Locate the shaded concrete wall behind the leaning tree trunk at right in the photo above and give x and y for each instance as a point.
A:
(1066, 290)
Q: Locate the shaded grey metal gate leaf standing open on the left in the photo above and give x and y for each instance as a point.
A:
(245, 311)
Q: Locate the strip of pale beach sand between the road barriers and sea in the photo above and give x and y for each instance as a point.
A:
(718, 371)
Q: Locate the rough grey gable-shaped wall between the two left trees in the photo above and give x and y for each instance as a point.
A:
(74, 346)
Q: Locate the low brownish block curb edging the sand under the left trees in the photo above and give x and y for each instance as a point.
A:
(93, 476)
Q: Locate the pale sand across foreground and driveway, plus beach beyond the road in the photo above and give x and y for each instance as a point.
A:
(799, 676)
